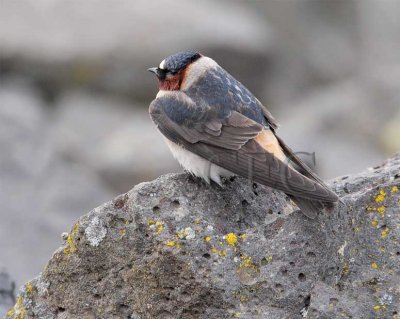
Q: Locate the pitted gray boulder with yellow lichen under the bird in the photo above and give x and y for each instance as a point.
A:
(179, 248)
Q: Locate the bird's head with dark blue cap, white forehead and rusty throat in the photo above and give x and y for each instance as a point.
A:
(172, 70)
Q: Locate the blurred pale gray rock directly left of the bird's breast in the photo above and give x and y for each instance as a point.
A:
(116, 139)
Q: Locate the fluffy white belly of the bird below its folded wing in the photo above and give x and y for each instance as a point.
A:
(197, 165)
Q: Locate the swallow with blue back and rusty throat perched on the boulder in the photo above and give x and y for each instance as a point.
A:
(216, 128)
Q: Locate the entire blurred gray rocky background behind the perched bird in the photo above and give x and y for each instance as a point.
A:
(74, 128)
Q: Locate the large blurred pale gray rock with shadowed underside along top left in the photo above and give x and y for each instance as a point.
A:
(109, 48)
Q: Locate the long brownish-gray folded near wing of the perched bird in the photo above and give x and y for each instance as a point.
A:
(234, 147)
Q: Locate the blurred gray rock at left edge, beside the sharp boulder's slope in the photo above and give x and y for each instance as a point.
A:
(41, 191)
